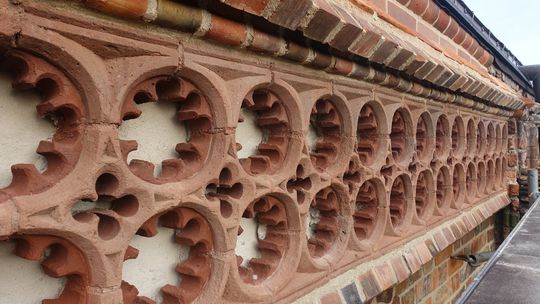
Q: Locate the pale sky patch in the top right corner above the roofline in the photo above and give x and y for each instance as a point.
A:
(516, 23)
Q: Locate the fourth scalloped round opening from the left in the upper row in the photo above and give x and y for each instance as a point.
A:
(325, 134)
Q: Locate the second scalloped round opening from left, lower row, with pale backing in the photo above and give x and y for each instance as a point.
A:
(173, 251)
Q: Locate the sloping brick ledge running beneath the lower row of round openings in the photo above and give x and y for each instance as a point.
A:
(372, 277)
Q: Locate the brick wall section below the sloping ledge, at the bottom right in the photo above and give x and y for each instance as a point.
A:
(443, 279)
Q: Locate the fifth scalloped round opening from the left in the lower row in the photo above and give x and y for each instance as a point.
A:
(366, 210)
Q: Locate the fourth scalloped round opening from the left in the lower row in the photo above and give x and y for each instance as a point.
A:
(322, 222)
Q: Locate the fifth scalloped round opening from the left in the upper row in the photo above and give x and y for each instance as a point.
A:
(368, 135)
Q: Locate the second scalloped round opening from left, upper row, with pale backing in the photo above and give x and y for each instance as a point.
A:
(168, 127)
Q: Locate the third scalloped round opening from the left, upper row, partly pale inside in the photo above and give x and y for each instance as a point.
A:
(262, 137)
